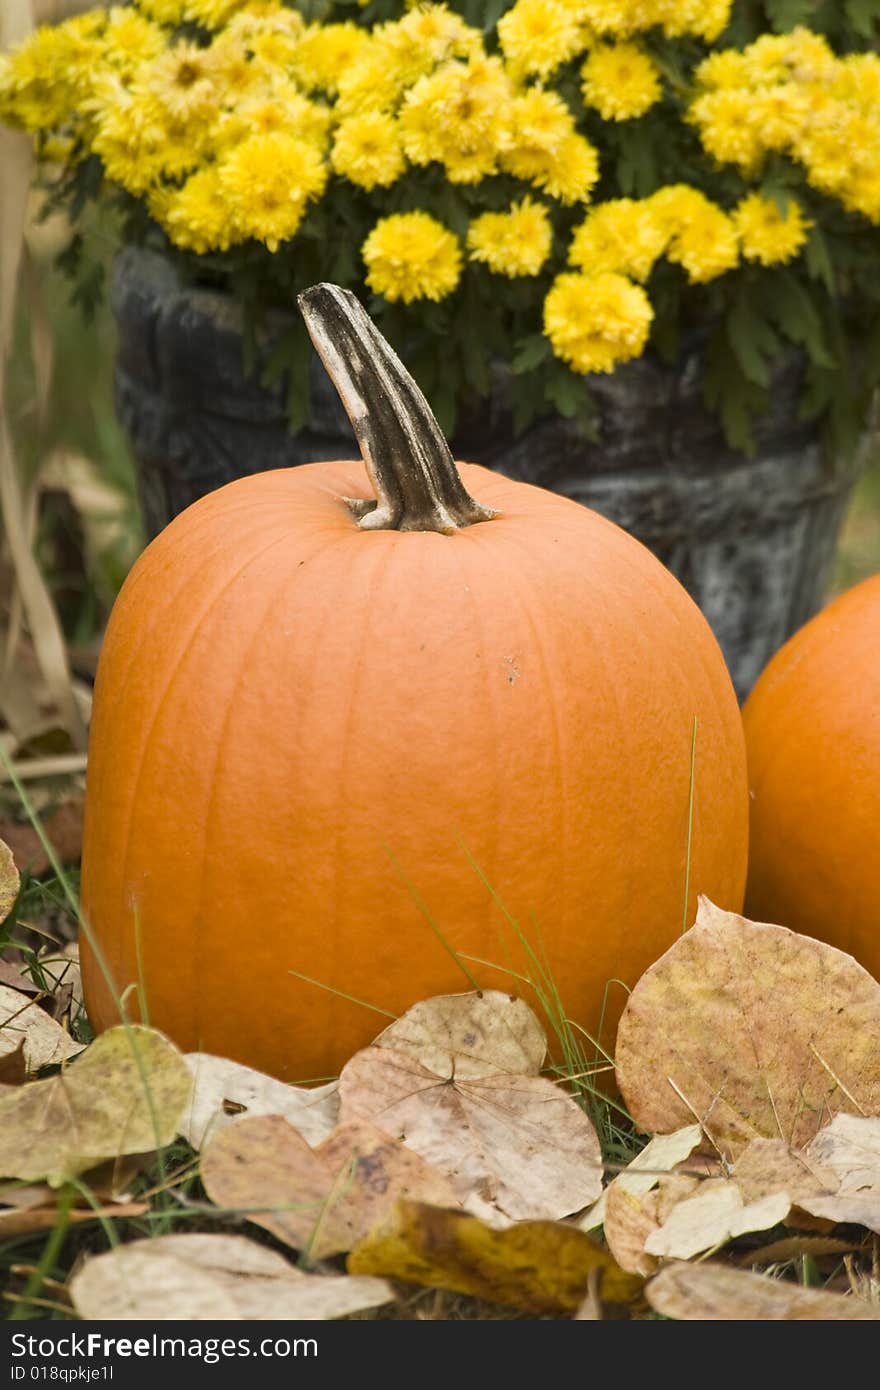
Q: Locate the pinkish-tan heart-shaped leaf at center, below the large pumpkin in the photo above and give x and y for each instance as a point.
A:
(519, 1143)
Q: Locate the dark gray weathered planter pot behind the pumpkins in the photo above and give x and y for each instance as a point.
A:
(751, 540)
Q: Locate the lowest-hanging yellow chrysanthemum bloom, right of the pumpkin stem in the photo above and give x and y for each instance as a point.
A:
(597, 322)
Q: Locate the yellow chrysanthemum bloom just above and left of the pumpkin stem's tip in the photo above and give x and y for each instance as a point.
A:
(269, 181)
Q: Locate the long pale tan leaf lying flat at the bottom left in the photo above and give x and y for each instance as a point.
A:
(202, 1278)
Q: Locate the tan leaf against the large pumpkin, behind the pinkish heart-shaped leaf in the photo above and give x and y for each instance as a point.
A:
(469, 1036)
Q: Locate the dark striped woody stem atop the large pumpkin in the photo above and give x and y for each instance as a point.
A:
(416, 482)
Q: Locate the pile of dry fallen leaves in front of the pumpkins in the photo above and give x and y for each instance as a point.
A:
(446, 1159)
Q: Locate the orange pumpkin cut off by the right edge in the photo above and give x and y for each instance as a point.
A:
(813, 728)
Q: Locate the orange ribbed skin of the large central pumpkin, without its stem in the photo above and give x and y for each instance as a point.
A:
(301, 729)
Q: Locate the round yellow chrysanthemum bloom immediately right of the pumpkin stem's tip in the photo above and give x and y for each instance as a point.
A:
(412, 256)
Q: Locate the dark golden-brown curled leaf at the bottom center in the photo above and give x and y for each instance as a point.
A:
(541, 1267)
